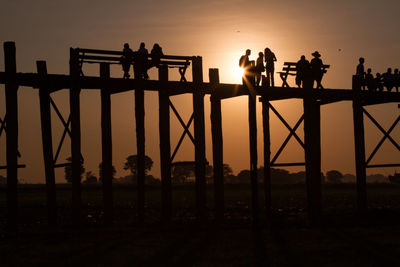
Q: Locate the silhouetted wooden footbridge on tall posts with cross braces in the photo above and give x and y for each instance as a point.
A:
(76, 81)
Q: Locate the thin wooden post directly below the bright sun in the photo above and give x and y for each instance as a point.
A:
(253, 157)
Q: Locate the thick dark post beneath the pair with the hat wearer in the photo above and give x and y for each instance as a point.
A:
(312, 141)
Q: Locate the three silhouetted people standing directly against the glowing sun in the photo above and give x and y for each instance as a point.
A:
(253, 69)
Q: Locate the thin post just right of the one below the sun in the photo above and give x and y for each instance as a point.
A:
(267, 156)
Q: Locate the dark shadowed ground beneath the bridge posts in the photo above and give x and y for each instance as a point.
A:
(345, 238)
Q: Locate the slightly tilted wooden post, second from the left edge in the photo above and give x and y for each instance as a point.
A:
(47, 143)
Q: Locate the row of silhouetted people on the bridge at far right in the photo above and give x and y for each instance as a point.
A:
(389, 79)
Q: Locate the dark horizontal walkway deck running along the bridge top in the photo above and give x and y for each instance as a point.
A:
(57, 82)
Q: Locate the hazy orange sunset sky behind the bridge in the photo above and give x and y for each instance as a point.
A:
(219, 31)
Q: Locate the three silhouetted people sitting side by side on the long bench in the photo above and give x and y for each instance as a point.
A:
(139, 60)
